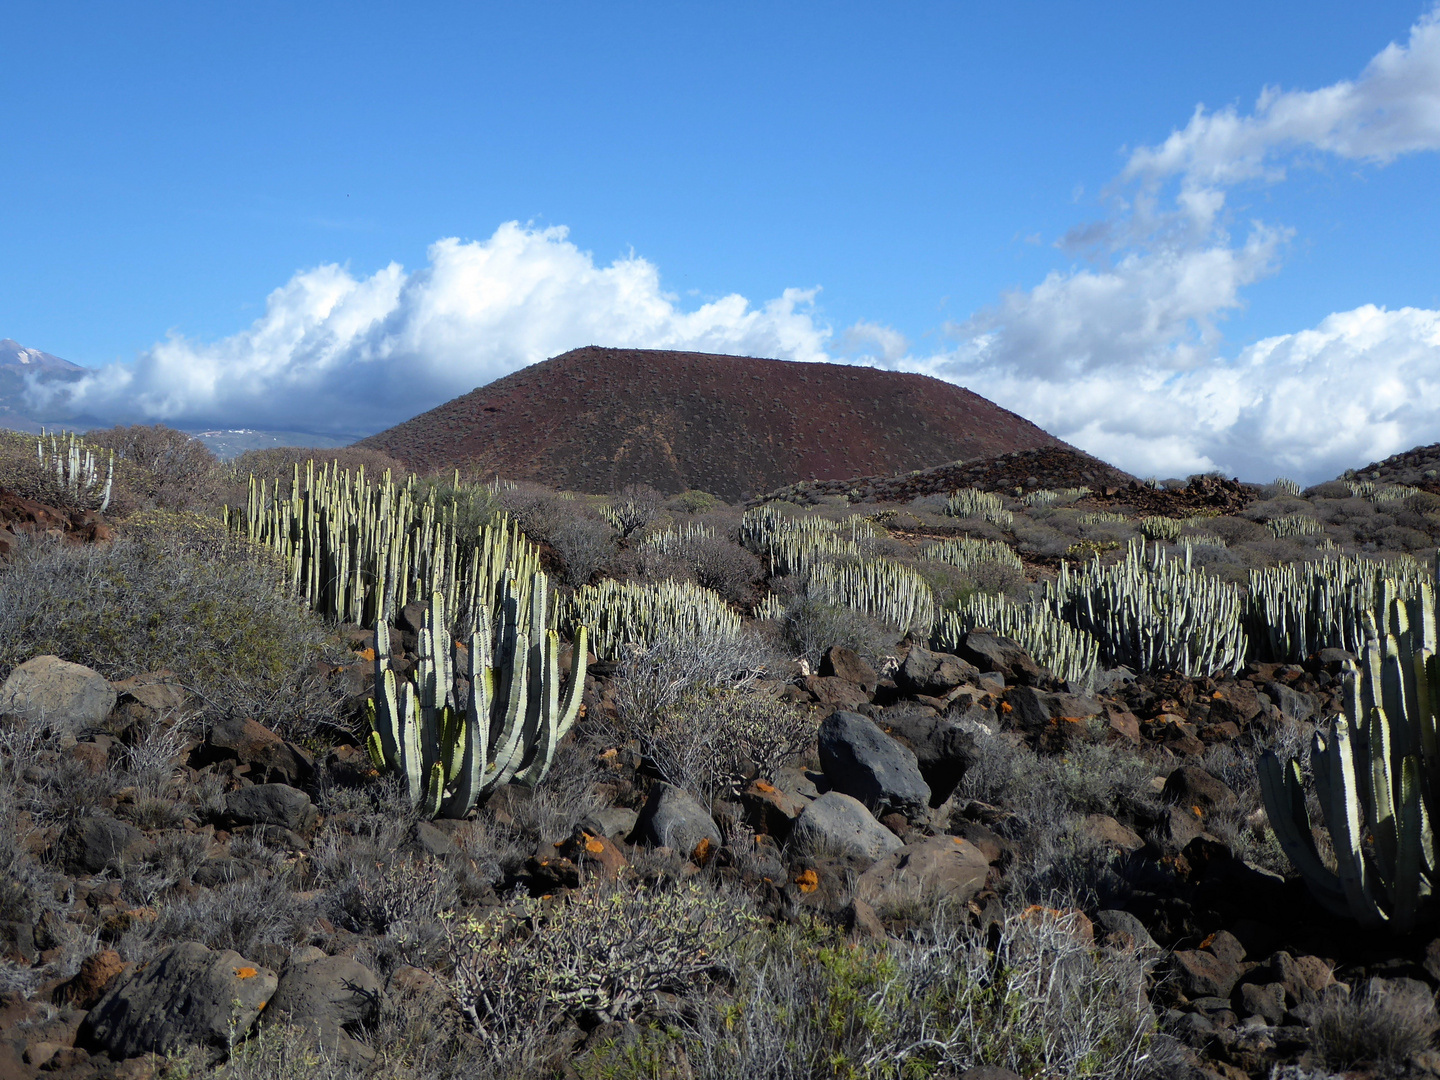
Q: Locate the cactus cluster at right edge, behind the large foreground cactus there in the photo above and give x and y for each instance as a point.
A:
(1295, 611)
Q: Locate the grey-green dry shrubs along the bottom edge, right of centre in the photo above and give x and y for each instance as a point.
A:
(940, 1003)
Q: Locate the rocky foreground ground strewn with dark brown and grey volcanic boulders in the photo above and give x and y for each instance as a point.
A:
(881, 809)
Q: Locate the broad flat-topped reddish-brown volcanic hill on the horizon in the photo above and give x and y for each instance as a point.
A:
(597, 420)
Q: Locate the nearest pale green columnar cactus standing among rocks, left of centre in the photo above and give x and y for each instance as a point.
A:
(513, 718)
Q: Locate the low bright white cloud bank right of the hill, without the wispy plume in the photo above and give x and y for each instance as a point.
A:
(1359, 388)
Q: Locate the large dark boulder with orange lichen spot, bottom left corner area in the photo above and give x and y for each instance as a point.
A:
(186, 996)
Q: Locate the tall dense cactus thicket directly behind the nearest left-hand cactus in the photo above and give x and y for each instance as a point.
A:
(354, 549)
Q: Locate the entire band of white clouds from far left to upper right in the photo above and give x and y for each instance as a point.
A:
(1121, 355)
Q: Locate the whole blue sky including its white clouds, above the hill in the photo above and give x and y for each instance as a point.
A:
(237, 212)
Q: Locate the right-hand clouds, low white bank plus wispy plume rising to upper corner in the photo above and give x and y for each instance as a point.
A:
(1125, 356)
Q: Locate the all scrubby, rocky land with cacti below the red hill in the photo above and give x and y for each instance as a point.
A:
(980, 767)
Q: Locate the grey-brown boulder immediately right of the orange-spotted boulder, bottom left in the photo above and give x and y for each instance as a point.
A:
(332, 997)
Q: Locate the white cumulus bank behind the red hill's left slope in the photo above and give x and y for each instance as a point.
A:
(338, 354)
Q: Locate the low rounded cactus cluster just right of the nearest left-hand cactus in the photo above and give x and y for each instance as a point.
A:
(624, 614)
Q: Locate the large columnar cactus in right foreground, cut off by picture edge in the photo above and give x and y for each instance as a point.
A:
(1377, 778)
